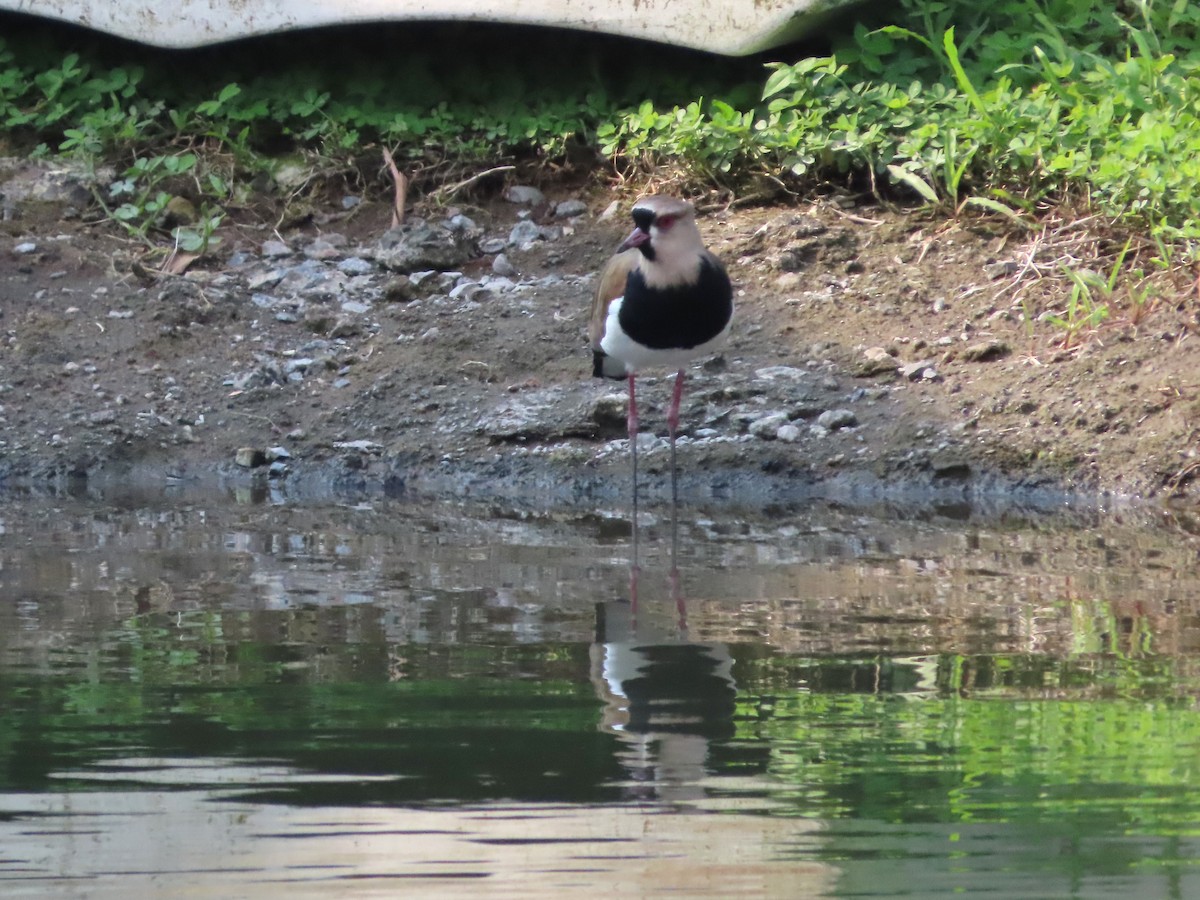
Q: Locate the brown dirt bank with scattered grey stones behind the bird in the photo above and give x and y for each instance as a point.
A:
(905, 329)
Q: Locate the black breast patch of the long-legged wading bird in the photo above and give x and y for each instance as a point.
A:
(680, 317)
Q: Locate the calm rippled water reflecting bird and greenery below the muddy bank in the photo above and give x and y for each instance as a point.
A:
(227, 698)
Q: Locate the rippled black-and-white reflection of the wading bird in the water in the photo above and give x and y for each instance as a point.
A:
(667, 698)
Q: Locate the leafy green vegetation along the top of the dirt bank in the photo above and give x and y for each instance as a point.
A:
(1015, 109)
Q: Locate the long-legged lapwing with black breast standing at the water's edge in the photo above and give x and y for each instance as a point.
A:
(663, 302)
